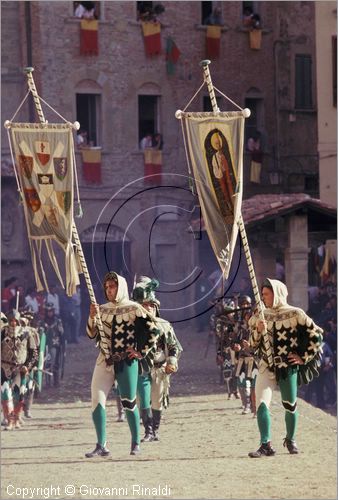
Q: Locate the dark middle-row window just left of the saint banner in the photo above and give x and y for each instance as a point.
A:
(148, 115)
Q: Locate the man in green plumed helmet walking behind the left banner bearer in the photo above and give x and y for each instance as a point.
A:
(154, 379)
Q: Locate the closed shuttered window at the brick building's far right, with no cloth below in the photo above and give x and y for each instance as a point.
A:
(303, 81)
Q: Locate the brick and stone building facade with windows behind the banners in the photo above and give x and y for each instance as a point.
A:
(137, 228)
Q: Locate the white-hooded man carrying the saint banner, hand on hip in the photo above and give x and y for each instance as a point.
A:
(295, 342)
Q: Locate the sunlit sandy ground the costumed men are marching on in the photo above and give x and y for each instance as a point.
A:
(203, 451)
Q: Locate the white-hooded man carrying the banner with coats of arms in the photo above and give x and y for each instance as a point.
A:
(129, 335)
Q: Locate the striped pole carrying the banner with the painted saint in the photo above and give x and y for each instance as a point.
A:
(241, 227)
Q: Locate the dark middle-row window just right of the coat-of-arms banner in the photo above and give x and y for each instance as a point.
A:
(88, 109)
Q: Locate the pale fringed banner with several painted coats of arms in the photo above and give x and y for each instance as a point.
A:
(44, 163)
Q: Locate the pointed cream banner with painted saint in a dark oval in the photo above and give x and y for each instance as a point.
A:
(215, 149)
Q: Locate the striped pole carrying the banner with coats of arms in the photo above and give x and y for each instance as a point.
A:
(104, 342)
